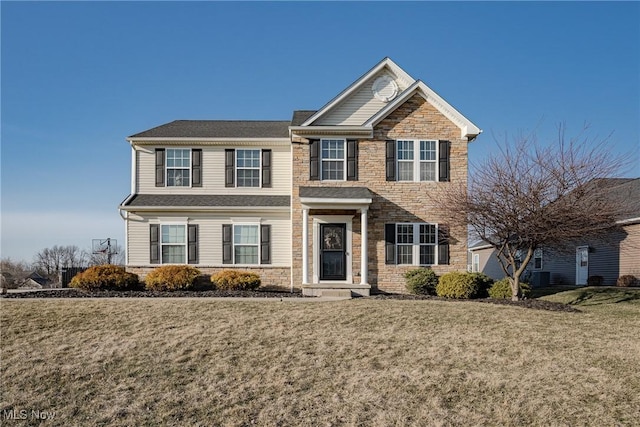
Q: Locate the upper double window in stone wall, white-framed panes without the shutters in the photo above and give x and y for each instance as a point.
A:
(417, 160)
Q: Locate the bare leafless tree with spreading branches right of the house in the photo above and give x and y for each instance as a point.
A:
(534, 195)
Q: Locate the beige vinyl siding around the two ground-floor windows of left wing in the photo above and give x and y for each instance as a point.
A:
(210, 235)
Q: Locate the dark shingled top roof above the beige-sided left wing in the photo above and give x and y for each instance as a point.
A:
(218, 129)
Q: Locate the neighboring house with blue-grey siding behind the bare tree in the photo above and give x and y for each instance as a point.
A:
(615, 255)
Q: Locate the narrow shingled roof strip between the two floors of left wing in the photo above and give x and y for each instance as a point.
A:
(206, 200)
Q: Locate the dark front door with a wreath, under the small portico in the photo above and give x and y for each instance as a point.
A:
(333, 258)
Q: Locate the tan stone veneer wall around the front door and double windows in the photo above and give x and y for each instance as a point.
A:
(392, 201)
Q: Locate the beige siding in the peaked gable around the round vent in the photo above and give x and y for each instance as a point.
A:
(360, 106)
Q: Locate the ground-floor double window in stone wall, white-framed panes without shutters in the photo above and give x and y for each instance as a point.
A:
(416, 244)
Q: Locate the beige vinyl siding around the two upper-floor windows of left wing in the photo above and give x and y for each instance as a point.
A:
(213, 172)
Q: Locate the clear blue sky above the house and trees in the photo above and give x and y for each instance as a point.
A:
(79, 77)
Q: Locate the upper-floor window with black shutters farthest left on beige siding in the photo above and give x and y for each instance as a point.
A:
(178, 167)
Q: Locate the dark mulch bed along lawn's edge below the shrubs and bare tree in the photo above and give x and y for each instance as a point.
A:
(76, 293)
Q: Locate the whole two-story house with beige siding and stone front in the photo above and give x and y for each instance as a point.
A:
(337, 198)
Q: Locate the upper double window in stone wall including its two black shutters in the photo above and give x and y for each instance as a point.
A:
(417, 160)
